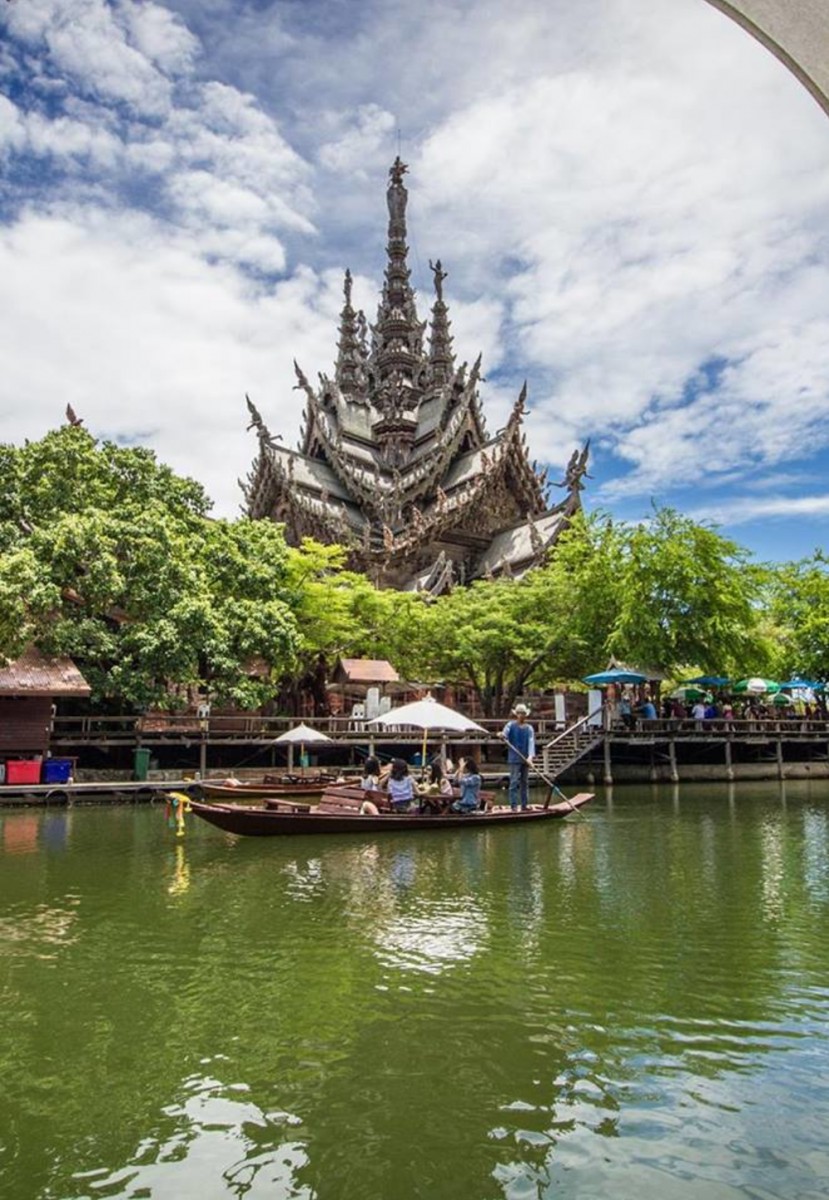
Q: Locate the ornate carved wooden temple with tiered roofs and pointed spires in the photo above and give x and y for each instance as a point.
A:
(395, 461)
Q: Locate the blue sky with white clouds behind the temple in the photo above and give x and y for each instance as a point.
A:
(633, 213)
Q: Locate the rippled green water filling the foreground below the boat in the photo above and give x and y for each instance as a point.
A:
(633, 1004)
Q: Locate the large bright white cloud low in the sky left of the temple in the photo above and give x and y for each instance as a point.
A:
(145, 339)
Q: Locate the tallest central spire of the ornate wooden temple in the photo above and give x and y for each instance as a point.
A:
(399, 335)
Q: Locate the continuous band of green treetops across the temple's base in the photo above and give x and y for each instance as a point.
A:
(106, 555)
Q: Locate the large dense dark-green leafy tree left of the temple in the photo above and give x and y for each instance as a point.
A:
(111, 559)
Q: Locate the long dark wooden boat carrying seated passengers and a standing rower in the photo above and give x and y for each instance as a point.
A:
(340, 813)
